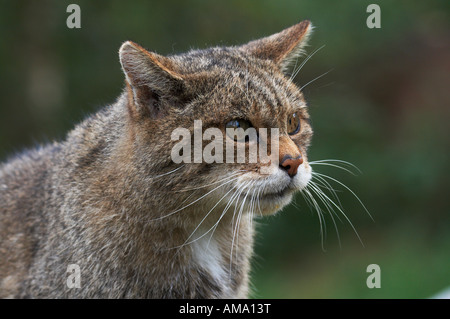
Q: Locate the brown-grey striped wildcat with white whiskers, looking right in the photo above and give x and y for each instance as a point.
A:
(110, 199)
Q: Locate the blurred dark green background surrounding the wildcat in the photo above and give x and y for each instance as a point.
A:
(384, 106)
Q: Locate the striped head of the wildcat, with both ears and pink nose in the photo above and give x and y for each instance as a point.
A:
(224, 87)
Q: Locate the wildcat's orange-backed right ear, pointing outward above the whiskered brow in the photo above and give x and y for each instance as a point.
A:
(282, 48)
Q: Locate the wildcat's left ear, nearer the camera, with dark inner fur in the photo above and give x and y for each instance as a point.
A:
(150, 78)
